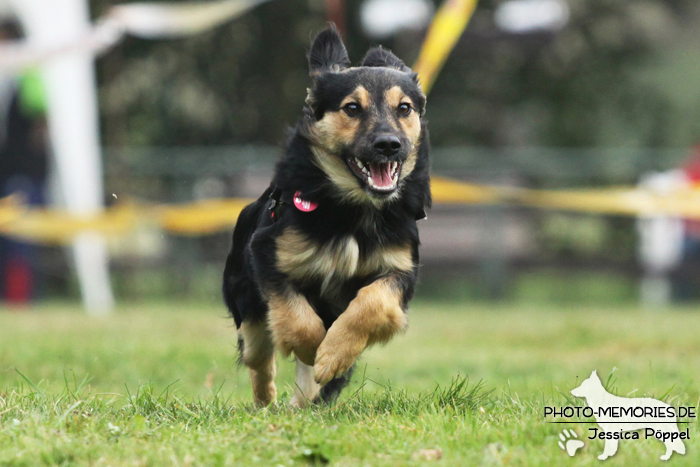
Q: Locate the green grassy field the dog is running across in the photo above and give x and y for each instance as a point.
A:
(158, 385)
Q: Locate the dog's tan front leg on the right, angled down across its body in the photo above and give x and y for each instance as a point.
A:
(374, 315)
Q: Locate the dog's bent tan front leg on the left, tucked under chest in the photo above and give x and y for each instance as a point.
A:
(295, 325)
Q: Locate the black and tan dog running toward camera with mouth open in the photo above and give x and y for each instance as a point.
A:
(324, 263)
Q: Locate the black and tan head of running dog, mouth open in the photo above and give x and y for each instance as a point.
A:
(364, 123)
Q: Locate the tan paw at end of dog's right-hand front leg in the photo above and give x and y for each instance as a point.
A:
(336, 355)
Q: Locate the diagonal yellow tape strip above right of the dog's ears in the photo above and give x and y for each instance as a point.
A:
(447, 26)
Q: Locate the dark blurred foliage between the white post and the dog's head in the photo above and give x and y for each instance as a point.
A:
(240, 83)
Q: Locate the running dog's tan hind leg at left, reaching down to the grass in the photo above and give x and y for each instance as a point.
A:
(258, 354)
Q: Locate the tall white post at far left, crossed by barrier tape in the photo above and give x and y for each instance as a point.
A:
(73, 129)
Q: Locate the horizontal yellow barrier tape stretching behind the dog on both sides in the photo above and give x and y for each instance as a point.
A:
(211, 216)
